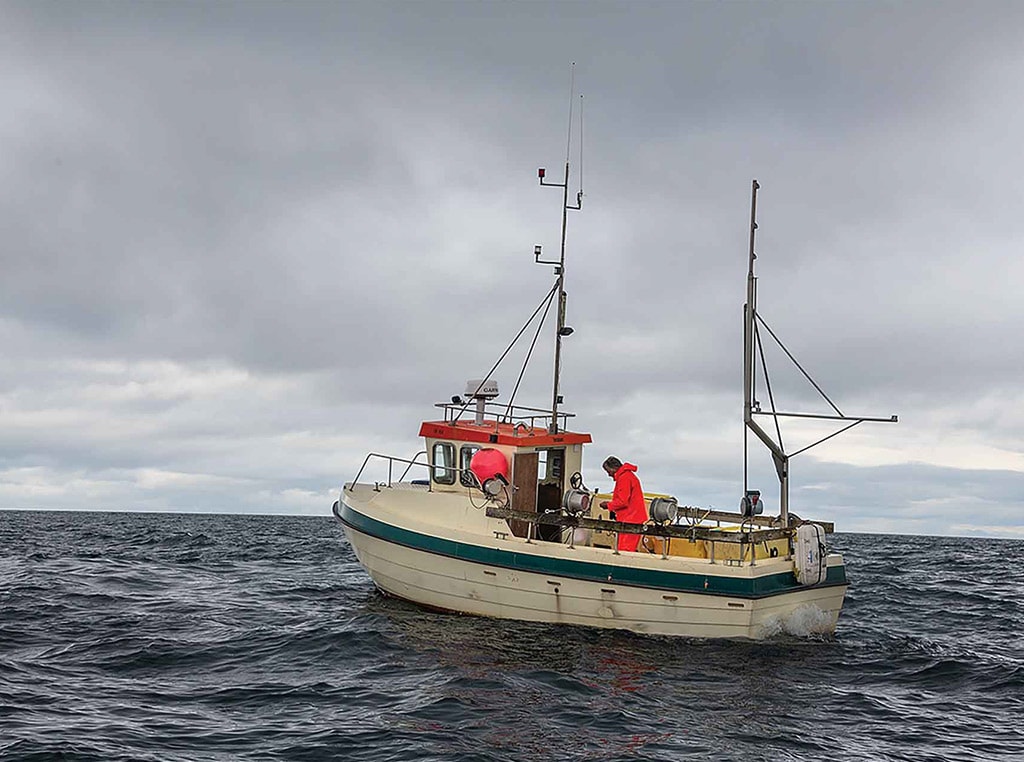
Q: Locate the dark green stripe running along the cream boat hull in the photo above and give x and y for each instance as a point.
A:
(759, 587)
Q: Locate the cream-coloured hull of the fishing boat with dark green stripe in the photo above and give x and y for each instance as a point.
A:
(505, 578)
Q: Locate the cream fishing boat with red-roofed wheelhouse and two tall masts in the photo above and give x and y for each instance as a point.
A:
(492, 518)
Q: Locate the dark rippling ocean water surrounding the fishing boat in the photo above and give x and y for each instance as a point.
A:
(129, 637)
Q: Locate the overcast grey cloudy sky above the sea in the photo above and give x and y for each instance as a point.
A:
(246, 244)
